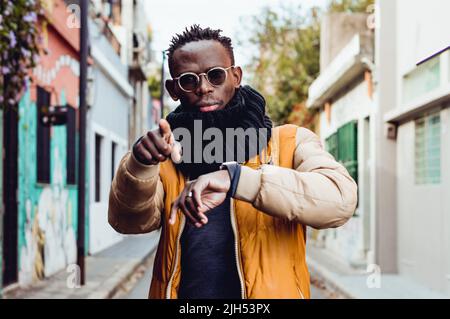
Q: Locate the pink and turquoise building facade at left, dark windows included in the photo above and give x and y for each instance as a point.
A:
(40, 198)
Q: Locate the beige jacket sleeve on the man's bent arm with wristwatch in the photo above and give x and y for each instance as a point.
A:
(319, 193)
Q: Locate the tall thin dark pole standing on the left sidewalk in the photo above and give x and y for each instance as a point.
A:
(82, 142)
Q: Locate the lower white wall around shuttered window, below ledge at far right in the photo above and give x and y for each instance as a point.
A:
(424, 214)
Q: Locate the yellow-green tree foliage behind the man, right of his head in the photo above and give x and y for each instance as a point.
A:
(286, 57)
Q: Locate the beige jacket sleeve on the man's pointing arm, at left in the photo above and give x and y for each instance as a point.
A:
(136, 198)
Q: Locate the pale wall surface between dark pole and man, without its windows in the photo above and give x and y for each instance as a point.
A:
(111, 96)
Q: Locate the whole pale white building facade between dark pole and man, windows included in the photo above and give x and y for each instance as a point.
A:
(110, 100)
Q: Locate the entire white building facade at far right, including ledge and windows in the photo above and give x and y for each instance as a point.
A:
(419, 117)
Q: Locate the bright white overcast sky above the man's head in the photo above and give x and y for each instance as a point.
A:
(168, 17)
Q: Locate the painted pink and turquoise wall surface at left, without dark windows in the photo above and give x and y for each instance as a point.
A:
(48, 212)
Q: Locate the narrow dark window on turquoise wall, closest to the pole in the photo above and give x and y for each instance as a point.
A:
(71, 145)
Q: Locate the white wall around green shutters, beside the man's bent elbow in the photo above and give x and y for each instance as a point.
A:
(350, 242)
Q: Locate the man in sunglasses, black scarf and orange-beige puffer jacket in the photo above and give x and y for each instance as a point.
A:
(236, 230)
